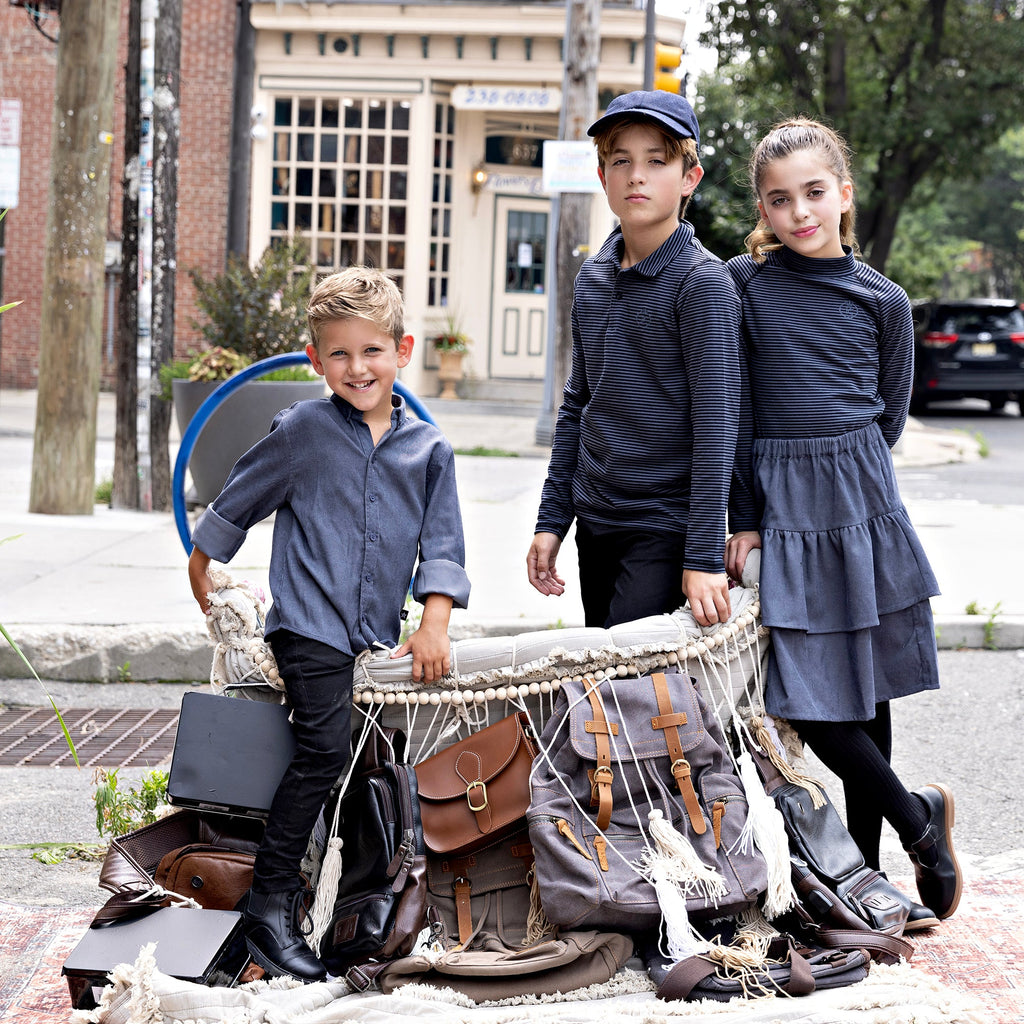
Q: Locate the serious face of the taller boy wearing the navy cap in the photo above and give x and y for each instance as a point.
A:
(645, 185)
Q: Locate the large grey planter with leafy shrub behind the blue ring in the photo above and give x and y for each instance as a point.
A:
(247, 314)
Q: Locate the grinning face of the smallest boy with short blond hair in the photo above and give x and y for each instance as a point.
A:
(360, 363)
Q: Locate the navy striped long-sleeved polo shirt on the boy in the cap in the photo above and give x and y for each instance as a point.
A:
(647, 435)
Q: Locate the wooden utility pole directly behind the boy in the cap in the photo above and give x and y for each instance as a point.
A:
(571, 210)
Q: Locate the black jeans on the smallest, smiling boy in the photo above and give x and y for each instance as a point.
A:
(319, 680)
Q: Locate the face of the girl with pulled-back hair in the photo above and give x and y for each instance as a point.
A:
(802, 200)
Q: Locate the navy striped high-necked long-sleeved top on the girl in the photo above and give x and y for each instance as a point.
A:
(830, 344)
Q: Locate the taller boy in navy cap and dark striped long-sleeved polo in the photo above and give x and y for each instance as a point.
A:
(646, 439)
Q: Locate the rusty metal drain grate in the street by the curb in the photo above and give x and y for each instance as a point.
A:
(105, 738)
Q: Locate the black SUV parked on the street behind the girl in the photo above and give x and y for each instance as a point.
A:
(971, 349)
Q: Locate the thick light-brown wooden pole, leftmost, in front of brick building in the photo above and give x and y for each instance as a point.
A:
(64, 461)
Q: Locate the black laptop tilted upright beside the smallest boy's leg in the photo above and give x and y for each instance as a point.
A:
(230, 754)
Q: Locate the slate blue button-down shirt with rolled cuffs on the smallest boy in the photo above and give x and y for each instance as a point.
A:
(353, 520)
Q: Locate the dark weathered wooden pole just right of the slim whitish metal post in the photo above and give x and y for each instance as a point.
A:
(166, 122)
